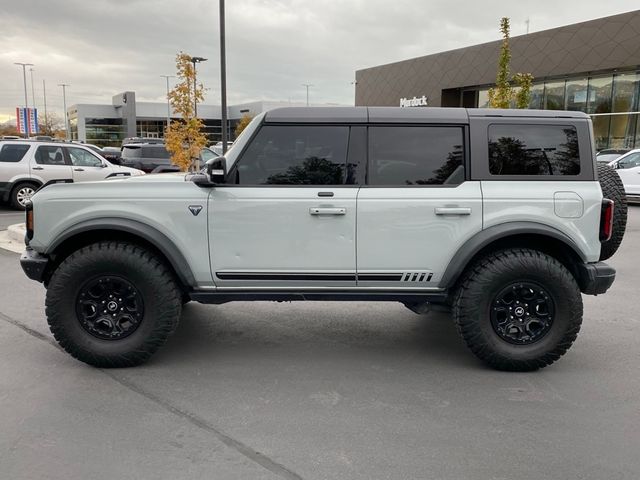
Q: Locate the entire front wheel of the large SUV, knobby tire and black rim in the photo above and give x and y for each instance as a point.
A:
(112, 304)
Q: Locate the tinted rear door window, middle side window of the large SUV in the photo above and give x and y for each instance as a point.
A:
(415, 156)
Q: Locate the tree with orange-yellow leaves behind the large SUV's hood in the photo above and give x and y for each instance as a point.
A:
(185, 138)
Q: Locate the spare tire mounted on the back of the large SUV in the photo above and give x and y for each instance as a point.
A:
(613, 189)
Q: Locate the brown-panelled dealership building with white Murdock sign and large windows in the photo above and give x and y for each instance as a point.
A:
(592, 67)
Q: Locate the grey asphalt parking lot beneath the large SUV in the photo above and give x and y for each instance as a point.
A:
(321, 391)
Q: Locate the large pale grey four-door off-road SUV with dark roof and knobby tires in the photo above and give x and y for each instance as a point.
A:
(500, 215)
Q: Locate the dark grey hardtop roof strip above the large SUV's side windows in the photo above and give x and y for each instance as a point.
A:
(402, 114)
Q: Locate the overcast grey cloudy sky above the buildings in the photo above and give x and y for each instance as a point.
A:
(103, 47)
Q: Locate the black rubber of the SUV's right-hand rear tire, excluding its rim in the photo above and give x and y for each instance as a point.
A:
(478, 289)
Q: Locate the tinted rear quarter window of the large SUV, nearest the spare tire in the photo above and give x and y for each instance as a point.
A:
(533, 150)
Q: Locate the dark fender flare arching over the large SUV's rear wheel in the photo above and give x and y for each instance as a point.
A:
(497, 232)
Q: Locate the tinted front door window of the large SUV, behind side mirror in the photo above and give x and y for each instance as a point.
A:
(295, 155)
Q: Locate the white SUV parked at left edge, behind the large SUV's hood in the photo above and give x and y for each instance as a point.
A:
(26, 166)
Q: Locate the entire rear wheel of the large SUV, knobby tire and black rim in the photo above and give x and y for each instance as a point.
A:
(518, 309)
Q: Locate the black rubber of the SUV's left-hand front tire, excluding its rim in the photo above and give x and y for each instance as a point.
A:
(153, 280)
